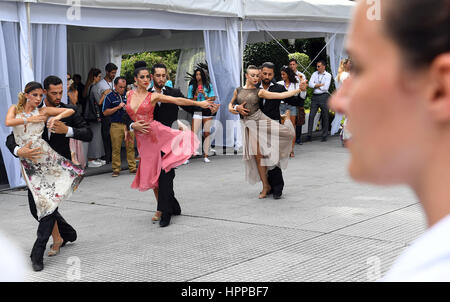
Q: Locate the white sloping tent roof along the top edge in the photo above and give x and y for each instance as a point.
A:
(248, 9)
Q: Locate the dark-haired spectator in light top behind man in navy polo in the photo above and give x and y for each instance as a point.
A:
(102, 89)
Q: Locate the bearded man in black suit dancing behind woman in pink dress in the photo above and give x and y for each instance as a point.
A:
(167, 114)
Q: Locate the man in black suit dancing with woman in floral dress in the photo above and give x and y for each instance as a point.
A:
(58, 138)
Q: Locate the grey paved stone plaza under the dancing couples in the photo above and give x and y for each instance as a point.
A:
(325, 228)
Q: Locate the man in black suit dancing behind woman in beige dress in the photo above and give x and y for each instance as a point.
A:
(271, 108)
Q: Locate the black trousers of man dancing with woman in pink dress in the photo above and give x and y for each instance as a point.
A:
(167, 203)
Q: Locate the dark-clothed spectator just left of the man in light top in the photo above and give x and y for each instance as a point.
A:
(93, 150)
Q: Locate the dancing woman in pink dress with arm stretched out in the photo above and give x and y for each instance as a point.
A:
(178, 146)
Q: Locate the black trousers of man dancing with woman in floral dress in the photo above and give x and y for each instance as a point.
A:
(45, 229)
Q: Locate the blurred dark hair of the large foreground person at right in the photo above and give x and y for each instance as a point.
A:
(420, 28)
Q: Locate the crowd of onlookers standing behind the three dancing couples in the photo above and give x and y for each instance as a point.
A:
(102, 100)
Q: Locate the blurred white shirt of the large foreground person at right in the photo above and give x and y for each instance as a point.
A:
(427, 259)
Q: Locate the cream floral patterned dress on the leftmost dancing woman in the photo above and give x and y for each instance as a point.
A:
(51, 178)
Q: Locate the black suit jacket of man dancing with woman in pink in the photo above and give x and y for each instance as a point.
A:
(166, 113)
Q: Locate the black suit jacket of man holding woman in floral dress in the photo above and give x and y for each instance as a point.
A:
(59, 142)
